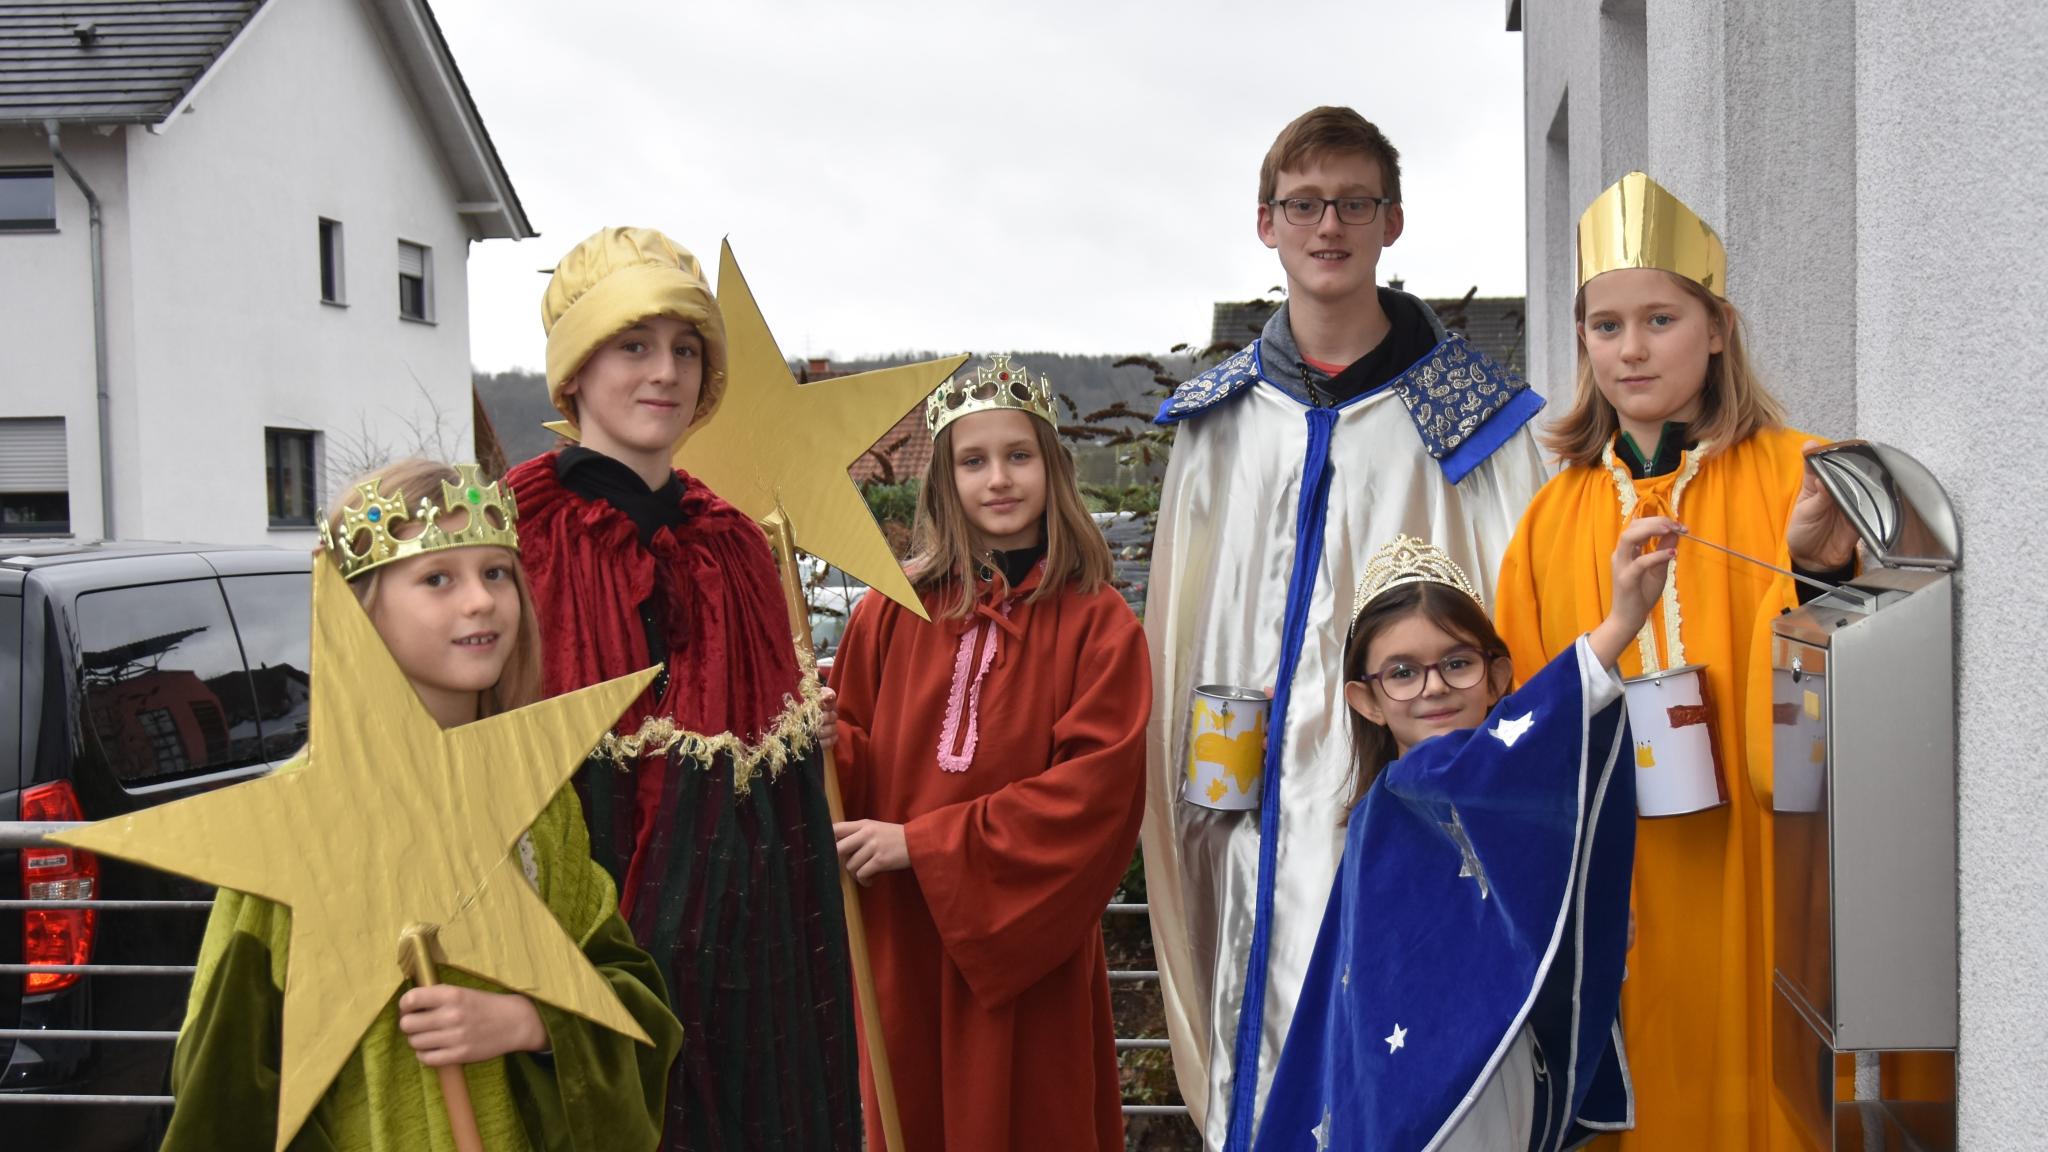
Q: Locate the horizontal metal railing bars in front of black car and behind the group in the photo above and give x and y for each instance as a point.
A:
(24, 835)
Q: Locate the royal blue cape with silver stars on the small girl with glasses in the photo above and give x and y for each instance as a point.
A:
(1484, 889)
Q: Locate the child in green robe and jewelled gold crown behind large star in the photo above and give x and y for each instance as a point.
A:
(460, 624)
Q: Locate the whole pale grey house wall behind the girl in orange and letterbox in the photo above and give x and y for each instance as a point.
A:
(1877, 173)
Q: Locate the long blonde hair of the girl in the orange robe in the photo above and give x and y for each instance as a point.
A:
(1734, 405)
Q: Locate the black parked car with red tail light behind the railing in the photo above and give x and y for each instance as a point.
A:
(130, 675)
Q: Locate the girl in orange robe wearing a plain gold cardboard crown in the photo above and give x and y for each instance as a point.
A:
(1670, 421)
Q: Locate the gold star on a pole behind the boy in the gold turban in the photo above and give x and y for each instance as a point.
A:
(775, 444)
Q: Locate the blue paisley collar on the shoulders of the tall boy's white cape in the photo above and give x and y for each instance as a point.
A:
(1463, 405)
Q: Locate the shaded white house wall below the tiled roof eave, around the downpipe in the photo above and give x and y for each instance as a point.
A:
(46, 300)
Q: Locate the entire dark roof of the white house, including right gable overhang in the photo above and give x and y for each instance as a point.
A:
(112, 63)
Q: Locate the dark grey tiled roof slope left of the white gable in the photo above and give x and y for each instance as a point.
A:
(112, 60)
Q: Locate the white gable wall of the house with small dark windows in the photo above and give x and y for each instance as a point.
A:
(304, 120)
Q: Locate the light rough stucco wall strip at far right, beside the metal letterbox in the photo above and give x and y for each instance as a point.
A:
(1953, 153)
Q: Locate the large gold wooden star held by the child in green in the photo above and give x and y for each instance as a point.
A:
(388, 821)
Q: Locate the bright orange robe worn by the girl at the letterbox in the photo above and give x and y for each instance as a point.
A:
(1699, 997)
